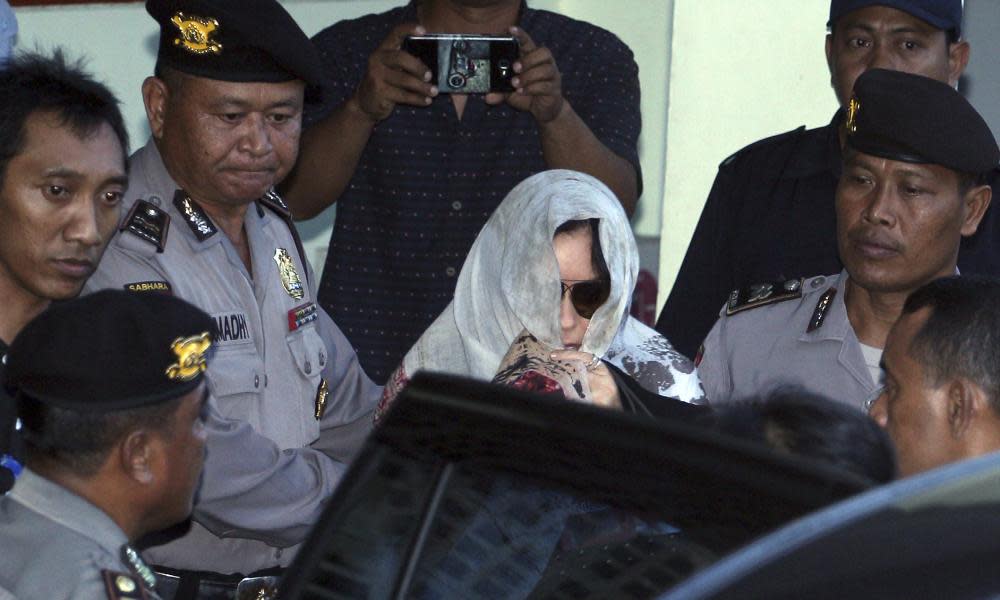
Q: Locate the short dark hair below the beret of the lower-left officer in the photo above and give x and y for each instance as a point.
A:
(78, 441)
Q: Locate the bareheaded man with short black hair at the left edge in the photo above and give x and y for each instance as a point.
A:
(63, 149)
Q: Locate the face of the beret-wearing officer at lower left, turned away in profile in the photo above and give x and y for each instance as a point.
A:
(184, 443)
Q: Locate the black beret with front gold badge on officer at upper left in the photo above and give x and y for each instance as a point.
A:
(234, 40)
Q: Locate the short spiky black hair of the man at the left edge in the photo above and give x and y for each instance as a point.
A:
(32, 82)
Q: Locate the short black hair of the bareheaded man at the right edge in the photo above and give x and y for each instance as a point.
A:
(961, 337)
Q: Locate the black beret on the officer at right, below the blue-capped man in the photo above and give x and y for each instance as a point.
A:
(916, 119)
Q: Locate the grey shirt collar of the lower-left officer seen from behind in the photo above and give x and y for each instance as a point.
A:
(58, 504)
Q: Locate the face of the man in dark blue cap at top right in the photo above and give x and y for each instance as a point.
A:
(888, 38)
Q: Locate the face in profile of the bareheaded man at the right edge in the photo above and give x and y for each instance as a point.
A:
(913, 412)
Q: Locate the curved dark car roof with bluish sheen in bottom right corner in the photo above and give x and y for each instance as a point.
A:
(936, 535)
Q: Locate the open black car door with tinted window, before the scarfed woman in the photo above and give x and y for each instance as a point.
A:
(472, 490)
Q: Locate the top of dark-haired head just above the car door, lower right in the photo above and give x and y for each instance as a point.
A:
(811, 426)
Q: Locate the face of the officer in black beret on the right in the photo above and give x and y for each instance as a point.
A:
(899, 224)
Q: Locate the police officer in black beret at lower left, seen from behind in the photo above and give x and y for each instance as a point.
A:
(111, 391)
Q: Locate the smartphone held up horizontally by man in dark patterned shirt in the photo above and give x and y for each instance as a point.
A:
(466, 64)
